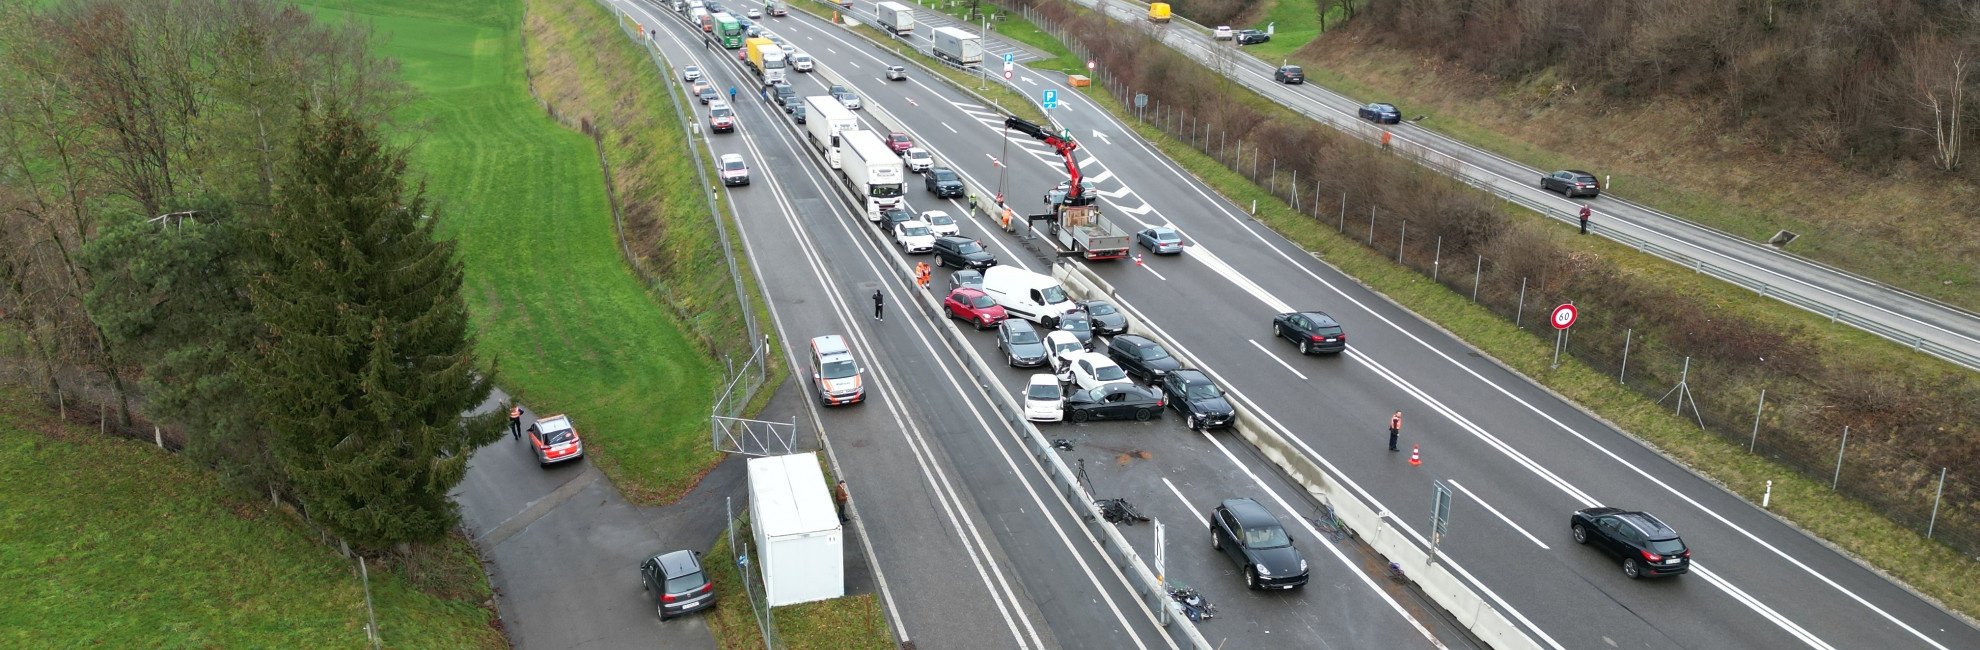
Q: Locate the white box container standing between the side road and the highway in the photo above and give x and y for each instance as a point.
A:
(799, 540)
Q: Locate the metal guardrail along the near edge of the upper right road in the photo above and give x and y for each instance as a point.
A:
(1472, 175)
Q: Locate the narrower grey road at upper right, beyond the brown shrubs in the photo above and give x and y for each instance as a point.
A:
(1912, 320)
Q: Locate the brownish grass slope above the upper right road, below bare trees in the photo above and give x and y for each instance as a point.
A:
(1670, 156)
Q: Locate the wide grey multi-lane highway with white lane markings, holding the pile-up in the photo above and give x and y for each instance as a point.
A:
(973, 548)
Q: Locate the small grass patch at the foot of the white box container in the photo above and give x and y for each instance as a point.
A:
(846, 623)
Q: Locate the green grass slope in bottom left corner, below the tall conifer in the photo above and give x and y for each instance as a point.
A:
(116, 544)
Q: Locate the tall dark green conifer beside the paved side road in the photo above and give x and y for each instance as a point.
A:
(367, 362)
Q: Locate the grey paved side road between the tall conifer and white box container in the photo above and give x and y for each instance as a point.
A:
(563, 546)
